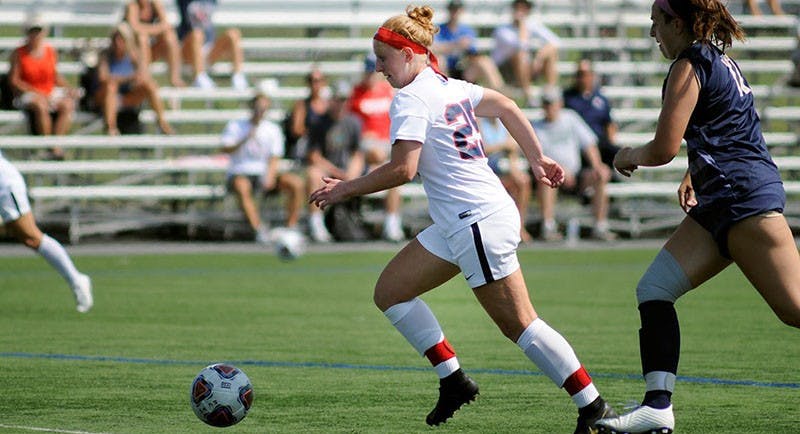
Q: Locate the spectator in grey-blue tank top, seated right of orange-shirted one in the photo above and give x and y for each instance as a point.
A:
(123, 81)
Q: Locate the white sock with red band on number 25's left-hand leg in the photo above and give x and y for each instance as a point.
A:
(415, 321)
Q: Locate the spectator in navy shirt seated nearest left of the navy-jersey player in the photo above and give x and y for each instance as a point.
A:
(586, 98)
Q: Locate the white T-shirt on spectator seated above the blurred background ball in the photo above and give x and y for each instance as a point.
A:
(251, 158)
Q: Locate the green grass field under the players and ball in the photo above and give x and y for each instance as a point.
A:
(323, 359)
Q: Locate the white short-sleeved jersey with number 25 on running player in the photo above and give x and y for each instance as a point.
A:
(460, 186)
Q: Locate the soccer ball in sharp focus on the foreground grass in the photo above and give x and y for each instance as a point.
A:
(221, 395)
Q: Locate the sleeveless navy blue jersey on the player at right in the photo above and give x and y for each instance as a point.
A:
(728, 158)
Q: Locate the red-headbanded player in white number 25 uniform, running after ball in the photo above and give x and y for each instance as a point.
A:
(476, 226)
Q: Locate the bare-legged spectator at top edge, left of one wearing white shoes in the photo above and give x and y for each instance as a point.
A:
(155, 35)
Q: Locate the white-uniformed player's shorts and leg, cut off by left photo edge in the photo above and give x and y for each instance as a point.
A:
(15, 213)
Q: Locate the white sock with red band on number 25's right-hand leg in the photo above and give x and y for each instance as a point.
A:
(556, 358)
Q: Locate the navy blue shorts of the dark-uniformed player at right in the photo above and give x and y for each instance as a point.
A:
(719, 218)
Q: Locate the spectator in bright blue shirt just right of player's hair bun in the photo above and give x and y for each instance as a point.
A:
(455, 41)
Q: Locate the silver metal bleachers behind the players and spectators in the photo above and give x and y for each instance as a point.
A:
(114, 184)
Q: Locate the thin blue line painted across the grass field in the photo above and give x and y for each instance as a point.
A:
(277, 364)
